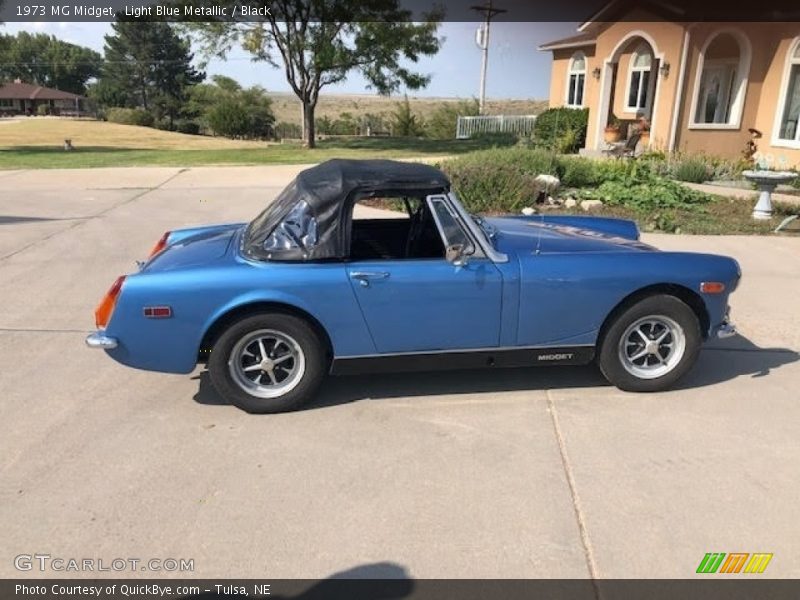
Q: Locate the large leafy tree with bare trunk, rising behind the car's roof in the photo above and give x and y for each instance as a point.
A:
(319, 42)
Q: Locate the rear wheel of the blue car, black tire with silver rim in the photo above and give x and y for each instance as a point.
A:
(299, 338)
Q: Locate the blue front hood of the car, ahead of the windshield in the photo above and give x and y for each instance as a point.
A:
(559, 234)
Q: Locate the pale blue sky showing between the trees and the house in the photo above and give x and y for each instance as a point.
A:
(516, 68)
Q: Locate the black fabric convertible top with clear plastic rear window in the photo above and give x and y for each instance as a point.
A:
(314, 210)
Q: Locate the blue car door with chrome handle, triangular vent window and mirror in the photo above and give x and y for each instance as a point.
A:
(419, 305)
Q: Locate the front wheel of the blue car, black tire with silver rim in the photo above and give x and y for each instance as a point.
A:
(659, 369)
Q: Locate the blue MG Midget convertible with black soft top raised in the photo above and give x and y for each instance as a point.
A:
(306, 289)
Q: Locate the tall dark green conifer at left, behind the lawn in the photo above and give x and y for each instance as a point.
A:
(148, 65)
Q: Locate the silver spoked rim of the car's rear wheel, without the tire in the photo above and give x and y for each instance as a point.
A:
(267, 363)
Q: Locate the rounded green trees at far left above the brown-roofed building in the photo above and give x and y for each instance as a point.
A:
(47, 61)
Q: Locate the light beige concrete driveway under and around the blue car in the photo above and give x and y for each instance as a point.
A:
(519, 473)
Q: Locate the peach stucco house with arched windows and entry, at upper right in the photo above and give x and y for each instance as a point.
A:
(702, 85)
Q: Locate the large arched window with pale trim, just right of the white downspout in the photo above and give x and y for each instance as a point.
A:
(722, 84)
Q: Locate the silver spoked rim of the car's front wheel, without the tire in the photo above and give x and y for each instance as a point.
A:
(652, 346)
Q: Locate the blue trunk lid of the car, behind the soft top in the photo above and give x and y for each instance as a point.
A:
(196, 246)
